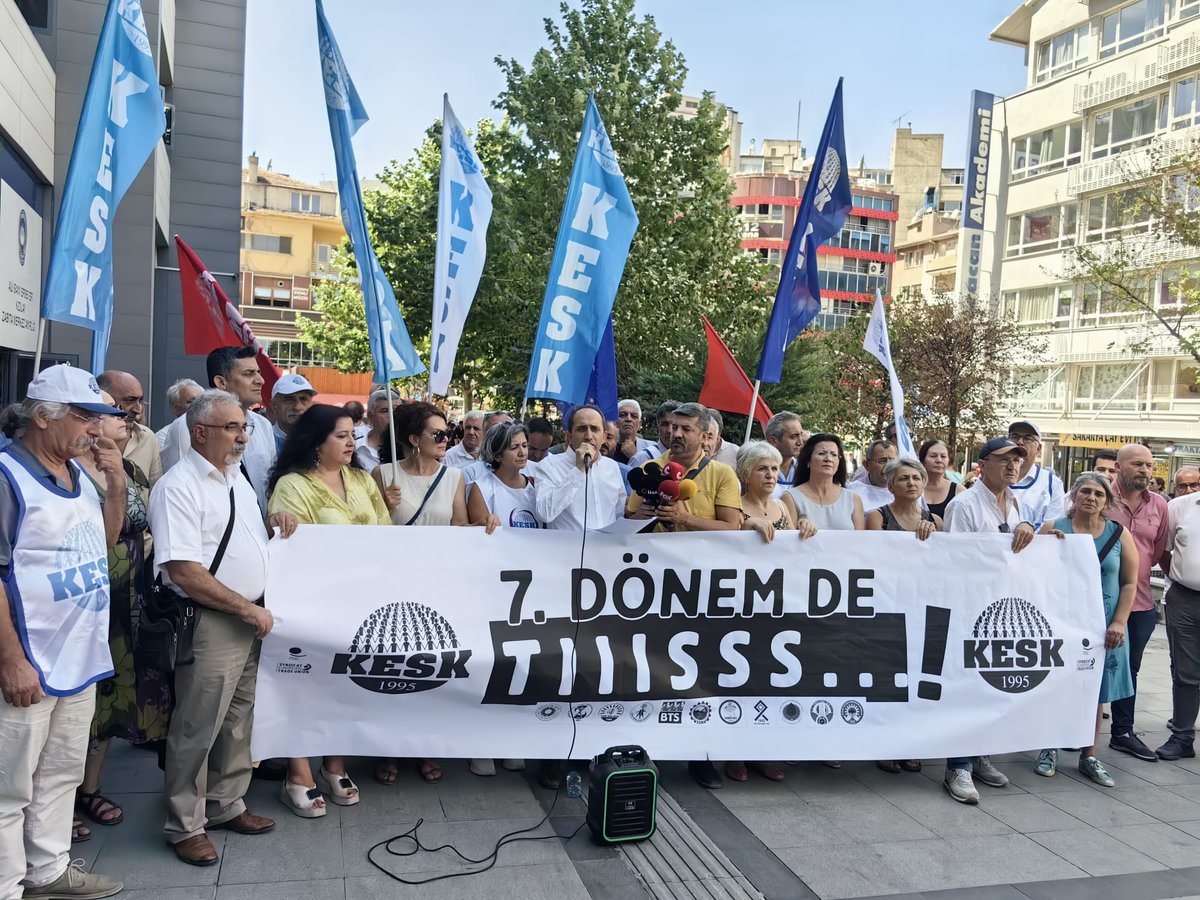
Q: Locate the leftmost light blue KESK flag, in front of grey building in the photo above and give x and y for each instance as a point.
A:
(122, 123)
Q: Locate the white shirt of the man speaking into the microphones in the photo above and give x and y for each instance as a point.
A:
(560, 497)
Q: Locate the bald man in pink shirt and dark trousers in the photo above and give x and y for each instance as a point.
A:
(1141, 509)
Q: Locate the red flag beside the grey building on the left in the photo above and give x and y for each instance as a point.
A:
(212, 321)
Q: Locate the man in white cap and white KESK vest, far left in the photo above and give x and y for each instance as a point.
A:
(55, 541)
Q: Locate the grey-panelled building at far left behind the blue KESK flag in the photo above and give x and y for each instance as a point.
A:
(189, 187)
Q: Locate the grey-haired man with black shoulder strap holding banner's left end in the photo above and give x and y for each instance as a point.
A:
(200, 501)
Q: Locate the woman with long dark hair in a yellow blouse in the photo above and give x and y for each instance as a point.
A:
(319, 478)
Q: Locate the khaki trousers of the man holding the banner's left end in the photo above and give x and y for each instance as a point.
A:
(208, 746)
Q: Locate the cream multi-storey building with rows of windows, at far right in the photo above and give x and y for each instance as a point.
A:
(1109, 86)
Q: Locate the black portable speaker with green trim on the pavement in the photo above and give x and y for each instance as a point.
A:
(623, 796)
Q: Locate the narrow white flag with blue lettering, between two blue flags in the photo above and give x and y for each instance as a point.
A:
(465, 209)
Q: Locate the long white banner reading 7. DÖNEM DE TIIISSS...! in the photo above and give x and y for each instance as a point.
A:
(455, 644)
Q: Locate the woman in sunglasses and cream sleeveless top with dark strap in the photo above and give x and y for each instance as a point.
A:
(419, 491)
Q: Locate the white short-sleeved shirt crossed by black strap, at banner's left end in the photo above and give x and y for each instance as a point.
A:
(189, 513)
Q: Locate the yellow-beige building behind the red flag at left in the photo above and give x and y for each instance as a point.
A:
(290, 231)
